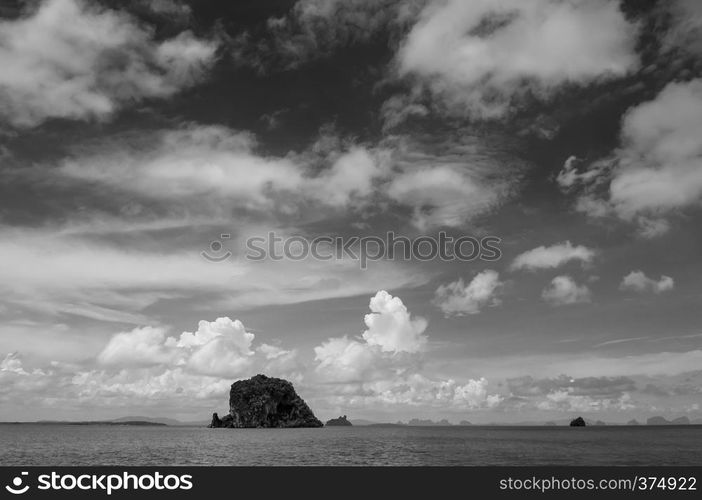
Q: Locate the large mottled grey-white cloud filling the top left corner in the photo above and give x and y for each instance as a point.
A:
(119, 62)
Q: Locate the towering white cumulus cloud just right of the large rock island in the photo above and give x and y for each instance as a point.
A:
(383, 365)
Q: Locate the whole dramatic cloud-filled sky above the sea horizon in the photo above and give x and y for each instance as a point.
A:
(143, 142)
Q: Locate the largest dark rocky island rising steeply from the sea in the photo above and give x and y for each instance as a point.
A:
(266, 402)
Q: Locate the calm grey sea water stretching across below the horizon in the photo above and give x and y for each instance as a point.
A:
(109, 445)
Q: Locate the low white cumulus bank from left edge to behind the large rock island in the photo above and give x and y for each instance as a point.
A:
(148, 367)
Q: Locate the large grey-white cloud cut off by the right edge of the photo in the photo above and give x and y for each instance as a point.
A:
(656, 171)
